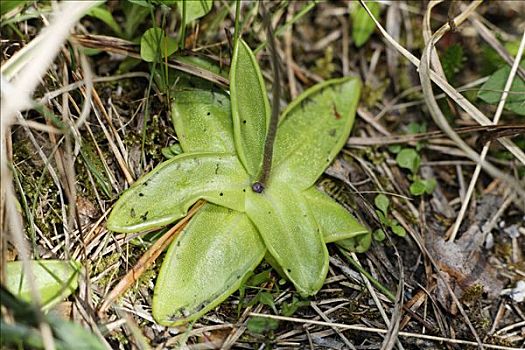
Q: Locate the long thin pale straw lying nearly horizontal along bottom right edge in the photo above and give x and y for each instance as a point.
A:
(381, 331)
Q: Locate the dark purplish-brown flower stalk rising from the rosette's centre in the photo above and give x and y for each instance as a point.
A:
(274, 119)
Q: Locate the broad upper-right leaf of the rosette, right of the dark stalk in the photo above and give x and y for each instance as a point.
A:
(313, 129)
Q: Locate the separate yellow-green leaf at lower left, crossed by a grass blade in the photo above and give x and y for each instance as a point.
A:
(54, 279)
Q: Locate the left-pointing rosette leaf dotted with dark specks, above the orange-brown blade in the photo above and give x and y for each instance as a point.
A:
(165, 194)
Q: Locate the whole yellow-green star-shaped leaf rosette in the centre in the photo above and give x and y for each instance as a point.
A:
(290, 221)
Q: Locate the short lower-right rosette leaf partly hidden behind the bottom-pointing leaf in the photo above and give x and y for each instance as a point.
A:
(336, 222)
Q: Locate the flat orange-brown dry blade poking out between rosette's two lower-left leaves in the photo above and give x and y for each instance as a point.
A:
(148, 258)
